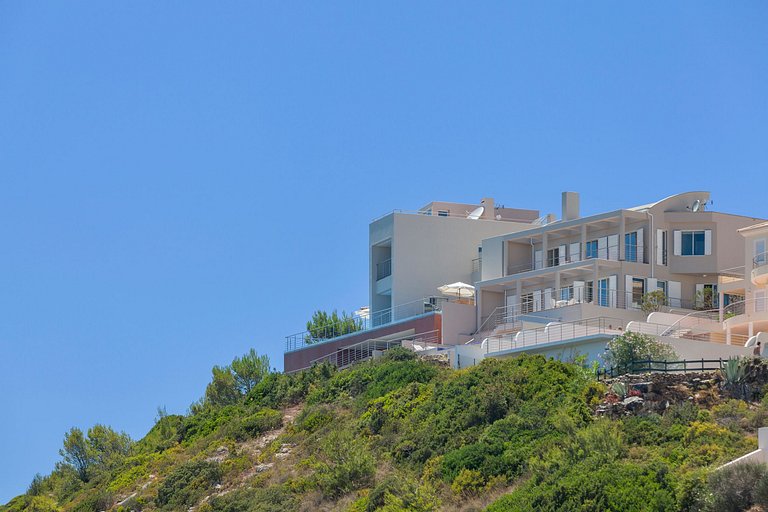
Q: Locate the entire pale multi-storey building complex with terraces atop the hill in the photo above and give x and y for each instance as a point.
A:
(561, 287)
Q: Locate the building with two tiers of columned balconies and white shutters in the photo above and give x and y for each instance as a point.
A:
(612, 259)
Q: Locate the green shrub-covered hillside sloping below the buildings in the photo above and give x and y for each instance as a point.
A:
(405, 434)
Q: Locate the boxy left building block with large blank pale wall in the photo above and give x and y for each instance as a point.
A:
(413, 253)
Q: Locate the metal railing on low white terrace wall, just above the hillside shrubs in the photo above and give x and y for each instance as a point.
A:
(552, 333)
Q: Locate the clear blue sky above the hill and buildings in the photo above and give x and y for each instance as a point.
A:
(182, 181)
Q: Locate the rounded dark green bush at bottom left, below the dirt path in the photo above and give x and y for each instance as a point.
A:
(187, 484)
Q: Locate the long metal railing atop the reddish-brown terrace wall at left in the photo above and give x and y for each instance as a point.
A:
(329, 332)
